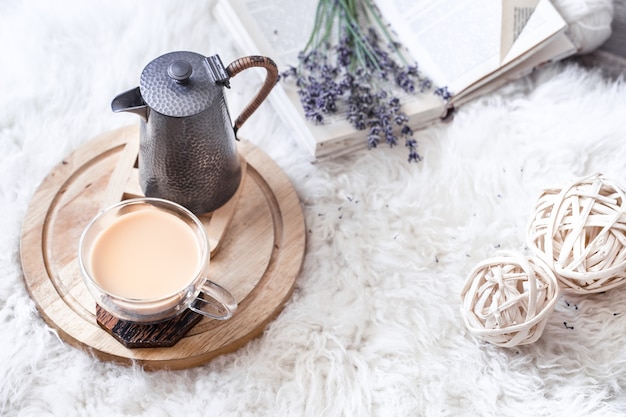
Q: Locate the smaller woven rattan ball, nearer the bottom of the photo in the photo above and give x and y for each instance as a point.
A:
(508, 299)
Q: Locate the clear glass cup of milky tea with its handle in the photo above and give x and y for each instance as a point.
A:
(146, 260)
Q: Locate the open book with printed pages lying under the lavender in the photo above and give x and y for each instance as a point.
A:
(470, 47)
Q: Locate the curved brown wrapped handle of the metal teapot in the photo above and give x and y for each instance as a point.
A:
(270, 81)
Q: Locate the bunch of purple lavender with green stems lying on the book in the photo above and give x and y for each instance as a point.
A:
(347, 65)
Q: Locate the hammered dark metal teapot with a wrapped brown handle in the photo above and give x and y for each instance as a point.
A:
(187, 149)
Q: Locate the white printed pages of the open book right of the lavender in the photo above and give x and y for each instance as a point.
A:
(458, 42)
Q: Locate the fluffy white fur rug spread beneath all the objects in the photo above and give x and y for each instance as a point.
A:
(373, 327)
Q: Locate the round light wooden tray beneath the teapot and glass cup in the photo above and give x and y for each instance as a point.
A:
(259, 258)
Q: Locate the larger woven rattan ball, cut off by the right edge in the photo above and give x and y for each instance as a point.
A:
(580, 231)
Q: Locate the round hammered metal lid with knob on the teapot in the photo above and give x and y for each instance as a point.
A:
(182, 83)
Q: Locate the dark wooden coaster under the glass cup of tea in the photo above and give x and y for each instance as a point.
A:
(139, 335)
